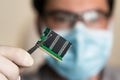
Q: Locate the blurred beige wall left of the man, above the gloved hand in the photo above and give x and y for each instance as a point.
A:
(15, 17)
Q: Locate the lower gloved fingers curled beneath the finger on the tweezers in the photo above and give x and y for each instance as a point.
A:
(8, 69)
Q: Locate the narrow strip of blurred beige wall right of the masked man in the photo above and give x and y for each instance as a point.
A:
(115, 58)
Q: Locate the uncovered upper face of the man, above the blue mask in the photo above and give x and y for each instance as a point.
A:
(62, 8)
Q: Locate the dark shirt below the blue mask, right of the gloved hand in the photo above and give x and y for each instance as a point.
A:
(44, 73)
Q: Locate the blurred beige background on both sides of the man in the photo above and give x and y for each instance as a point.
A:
(17, 19)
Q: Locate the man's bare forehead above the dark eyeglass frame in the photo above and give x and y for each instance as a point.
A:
(77, 5)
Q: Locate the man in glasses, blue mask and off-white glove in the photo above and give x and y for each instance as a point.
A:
(85, 23)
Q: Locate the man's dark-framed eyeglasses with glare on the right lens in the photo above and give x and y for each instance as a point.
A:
(64, 19)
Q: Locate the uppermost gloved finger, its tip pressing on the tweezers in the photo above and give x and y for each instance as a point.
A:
(16, 55)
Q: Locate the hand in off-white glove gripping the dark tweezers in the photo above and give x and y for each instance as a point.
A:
(11, 60)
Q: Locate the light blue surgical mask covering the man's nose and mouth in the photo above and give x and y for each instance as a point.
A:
(88, 55)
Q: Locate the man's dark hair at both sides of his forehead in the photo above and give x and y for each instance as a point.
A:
(40, 4)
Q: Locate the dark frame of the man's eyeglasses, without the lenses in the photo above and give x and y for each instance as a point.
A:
(74, 16)
